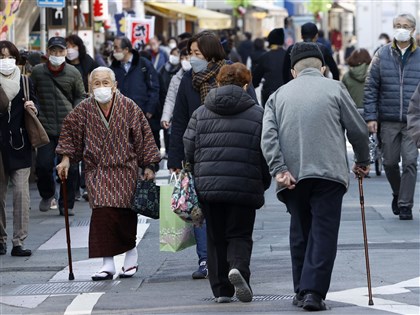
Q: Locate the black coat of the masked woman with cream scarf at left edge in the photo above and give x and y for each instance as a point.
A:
(15, 147)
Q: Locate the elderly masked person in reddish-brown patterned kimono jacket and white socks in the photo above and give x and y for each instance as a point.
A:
(111, 134)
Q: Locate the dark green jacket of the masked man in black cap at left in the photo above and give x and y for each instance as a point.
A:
(56, 103)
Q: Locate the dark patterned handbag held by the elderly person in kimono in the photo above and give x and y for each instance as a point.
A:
(146, 199)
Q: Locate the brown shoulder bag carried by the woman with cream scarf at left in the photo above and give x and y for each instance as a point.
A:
(36, 132)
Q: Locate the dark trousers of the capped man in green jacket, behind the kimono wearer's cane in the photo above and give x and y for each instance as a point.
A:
(45, 164)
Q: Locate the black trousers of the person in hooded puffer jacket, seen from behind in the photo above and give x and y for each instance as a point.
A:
(229, 244)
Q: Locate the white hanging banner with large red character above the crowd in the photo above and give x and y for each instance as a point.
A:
(139, 31)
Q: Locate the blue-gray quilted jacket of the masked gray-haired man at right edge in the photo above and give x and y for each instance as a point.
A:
(390, 83)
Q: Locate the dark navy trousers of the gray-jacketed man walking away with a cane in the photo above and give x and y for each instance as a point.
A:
(315, 207)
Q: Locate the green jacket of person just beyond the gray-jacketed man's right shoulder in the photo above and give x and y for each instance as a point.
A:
(354, 80)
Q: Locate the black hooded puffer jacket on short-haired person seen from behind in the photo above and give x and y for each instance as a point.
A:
(222, 140)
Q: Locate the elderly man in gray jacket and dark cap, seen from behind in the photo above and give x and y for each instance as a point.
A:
(304, 143)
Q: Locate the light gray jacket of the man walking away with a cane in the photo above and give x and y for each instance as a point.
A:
(304, 129)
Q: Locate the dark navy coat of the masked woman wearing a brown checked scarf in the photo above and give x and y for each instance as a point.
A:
(187, 101)
